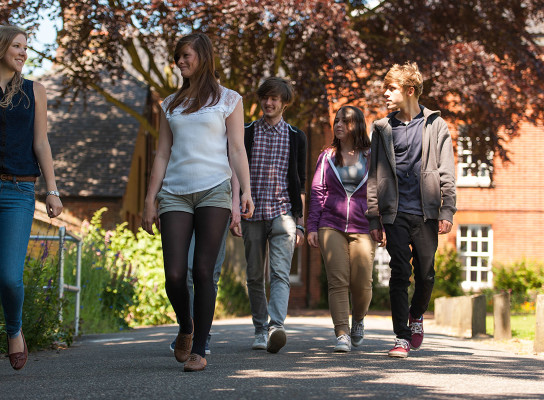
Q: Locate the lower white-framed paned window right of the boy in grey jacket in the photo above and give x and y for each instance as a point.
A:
(475, 261)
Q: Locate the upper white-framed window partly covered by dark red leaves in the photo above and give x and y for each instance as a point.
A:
(465, 174)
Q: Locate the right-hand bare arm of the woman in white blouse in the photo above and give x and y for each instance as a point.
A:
(238, 157)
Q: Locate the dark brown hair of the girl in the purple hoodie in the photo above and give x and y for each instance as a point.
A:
(356, 122)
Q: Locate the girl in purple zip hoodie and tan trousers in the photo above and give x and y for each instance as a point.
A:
(338, 226)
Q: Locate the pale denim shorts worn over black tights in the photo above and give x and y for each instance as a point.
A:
(219, 196)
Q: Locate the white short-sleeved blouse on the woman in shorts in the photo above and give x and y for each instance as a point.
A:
(198, 160)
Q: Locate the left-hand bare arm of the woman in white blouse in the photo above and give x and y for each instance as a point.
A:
(150, 215)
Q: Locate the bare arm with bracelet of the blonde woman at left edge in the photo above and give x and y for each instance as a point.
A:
(42, 149)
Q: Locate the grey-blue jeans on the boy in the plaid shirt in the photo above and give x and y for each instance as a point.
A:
(280, 234)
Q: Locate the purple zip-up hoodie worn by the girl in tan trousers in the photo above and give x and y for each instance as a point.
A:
(330, 205)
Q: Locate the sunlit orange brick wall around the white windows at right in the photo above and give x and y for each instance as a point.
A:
(514, 206)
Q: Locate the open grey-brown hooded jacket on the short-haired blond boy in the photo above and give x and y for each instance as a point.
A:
(437, 179)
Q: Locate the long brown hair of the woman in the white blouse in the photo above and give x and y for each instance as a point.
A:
(202, 89)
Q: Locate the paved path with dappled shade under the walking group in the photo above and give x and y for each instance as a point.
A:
(139, 364)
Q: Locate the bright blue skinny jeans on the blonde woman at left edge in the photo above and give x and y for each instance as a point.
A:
(16, 214)
